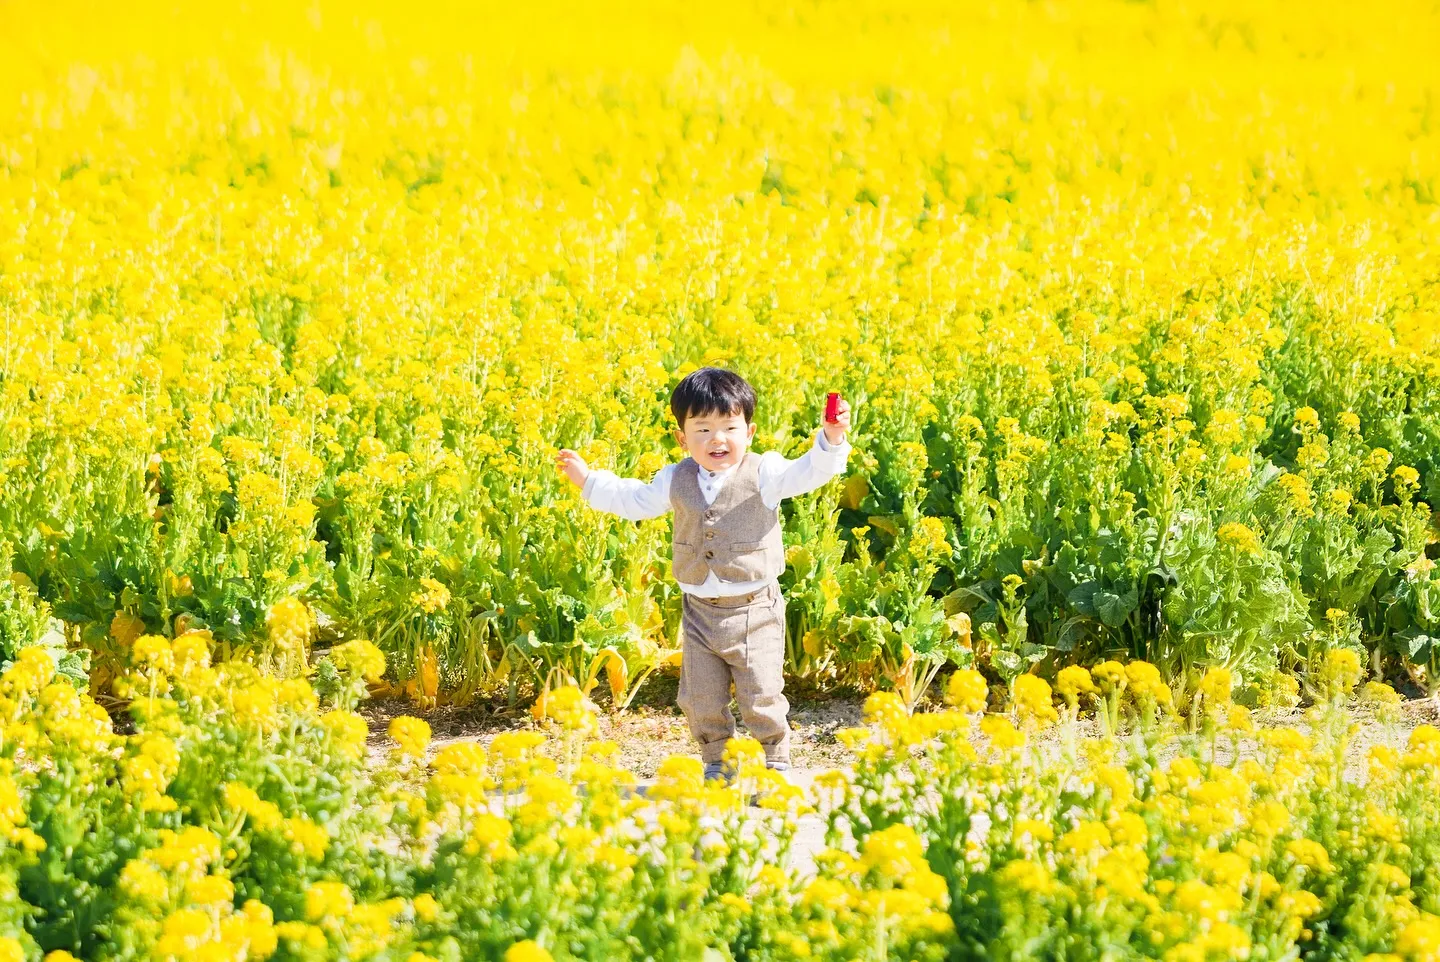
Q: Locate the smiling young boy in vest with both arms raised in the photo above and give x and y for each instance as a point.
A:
(726, 554)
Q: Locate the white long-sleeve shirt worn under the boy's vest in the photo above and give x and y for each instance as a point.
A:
(780, 479)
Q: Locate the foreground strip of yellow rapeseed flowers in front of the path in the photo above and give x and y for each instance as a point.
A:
(277, 835)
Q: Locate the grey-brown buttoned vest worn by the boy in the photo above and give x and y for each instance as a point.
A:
(738, 538)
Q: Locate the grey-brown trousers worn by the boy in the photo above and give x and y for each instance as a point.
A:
(741, 640)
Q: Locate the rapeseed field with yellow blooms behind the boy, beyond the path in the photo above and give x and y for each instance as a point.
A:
(1137, 305)
